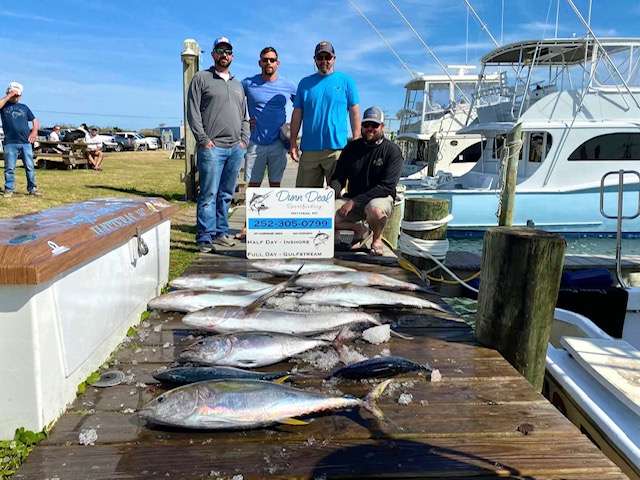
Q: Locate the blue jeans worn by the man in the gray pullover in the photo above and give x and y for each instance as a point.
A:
(218, 169)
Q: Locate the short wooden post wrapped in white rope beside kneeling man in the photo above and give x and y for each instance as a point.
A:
(420, 210)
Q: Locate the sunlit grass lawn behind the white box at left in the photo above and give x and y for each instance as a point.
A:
(125, 174)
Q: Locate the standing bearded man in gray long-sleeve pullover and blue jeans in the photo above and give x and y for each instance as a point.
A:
(217, 113)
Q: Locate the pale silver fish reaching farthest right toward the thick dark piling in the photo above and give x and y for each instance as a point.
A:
(349, 296)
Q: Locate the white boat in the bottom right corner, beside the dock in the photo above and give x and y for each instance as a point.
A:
(594, 380)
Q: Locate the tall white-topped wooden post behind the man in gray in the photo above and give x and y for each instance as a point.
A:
(190, 65)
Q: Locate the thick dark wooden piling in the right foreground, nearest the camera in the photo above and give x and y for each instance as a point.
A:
(521, 271)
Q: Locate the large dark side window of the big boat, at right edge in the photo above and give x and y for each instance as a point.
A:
(614, 146)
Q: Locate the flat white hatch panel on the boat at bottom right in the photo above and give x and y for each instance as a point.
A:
(613, 363)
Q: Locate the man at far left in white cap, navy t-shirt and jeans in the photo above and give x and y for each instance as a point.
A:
(18, 138)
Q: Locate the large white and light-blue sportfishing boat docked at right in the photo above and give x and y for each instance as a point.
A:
(577, 101)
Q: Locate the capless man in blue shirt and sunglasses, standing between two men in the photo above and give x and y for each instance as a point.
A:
(267, 95)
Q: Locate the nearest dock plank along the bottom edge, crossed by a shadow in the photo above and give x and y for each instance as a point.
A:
(517, 457)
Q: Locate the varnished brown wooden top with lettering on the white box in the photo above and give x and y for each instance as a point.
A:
(86, 229)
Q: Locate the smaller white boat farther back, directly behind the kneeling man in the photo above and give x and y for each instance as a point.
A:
(439, 105)
